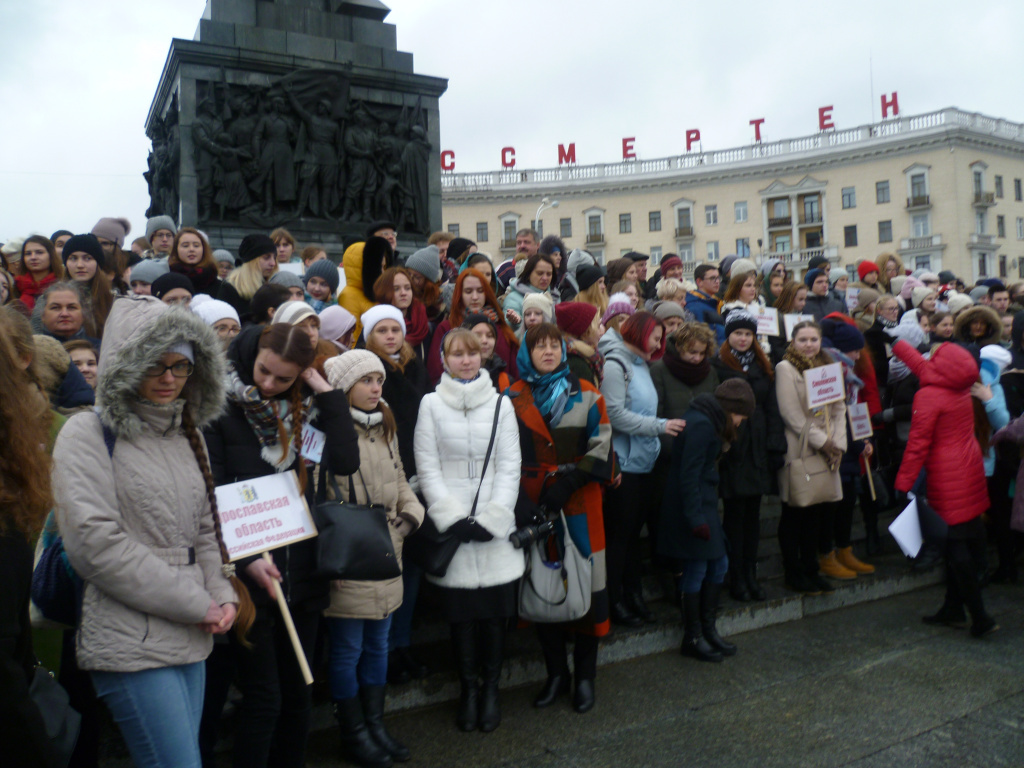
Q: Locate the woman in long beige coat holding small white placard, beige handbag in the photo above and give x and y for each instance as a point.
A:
(817, 441)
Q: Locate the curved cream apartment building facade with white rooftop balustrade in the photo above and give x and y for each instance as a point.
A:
(942, 190)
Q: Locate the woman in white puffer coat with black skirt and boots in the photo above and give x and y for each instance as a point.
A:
(479, 590)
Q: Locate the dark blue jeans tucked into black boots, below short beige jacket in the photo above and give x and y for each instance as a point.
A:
(359, 655)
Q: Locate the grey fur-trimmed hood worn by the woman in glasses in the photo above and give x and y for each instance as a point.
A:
(139, 331)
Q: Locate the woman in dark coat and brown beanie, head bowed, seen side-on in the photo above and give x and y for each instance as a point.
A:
(690, 531)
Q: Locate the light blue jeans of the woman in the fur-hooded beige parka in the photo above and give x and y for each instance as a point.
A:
(158, 712)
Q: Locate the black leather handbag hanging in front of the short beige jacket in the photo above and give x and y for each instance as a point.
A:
(355, 541)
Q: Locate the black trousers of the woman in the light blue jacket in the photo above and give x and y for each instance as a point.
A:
(626, 510)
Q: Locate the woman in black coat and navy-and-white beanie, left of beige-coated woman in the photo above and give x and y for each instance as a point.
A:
(749, 470)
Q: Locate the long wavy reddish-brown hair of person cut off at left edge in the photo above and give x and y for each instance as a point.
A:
(26, 494)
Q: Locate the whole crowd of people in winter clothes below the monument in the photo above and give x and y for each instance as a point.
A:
(614, 405)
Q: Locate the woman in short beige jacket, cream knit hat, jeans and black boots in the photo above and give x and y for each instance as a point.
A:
(360, 615)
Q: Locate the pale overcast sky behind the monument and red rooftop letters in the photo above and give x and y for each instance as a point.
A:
(77, 80)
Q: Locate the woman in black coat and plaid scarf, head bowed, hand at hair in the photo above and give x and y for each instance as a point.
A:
(273, 391)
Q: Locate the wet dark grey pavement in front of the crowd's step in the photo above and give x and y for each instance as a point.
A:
(868, 687)
